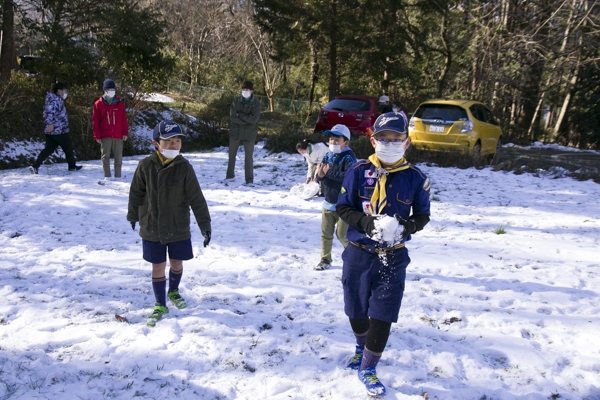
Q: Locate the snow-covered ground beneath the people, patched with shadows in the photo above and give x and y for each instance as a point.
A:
(501, 302)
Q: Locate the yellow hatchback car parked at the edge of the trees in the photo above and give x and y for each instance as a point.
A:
(463, 125)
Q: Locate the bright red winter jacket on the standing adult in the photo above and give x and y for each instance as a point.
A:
(109, 120)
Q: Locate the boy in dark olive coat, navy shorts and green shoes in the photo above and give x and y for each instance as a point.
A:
(163, 189)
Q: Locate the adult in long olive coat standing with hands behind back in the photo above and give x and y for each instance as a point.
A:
(243, 129)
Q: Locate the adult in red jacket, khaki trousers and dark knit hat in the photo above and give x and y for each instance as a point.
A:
(110, 127)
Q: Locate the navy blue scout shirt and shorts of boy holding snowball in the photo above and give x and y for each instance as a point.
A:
(373, 275)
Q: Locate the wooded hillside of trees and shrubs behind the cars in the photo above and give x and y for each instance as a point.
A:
(535, 63)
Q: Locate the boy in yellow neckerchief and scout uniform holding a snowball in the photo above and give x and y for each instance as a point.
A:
(384, 200)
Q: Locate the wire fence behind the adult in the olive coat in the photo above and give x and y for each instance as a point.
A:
(208, 95)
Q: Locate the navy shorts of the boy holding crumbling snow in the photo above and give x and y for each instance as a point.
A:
(372, 289)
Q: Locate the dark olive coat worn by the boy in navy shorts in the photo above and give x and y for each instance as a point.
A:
(160, 198)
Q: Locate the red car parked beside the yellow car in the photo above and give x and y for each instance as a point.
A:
(358, 113)
